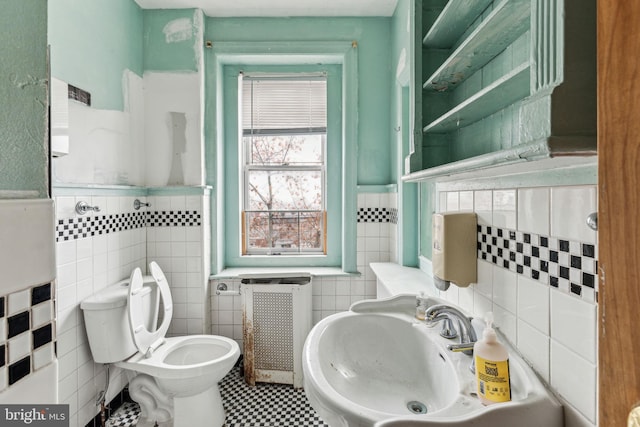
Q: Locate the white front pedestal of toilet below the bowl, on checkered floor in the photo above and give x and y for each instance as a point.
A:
(201, 410)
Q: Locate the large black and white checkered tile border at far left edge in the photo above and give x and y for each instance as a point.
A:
(27, 333)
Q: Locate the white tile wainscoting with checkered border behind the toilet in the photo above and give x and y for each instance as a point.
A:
(102, 248)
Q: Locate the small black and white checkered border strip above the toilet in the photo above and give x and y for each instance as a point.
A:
(89, 226)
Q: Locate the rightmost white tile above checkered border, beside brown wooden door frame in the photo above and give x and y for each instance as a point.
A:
(570, 207)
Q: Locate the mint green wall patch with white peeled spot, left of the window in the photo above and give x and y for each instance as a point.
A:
(172, 39)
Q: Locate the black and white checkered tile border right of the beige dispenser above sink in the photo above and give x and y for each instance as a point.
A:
(567, 265)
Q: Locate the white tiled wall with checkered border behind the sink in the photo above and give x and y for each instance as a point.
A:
(537, 271)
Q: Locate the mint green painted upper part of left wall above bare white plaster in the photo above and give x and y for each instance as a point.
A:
(93, 43)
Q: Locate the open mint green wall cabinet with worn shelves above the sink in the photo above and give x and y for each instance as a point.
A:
(502, 81)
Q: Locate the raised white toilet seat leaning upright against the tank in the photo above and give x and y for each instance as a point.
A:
(147, 341)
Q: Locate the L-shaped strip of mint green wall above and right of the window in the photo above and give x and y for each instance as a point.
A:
(374, 73)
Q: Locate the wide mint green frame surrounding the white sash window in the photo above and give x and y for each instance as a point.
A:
(225, 153)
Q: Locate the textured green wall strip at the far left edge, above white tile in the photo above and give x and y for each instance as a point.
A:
(23, 96)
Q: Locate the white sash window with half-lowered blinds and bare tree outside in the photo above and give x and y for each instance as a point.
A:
(284, 151)
